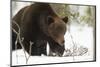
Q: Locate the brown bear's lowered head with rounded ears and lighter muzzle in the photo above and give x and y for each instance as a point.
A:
(57, 29)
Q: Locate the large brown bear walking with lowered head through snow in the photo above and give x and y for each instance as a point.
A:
(40, 24)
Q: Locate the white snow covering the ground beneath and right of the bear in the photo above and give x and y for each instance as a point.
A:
(82, 36)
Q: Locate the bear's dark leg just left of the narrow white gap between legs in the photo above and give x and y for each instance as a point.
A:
(38, 48)
